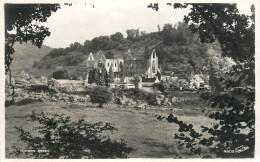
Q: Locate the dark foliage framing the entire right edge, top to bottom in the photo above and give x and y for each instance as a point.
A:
(222, 22)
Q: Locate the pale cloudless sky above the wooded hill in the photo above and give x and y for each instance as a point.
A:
(82, 21)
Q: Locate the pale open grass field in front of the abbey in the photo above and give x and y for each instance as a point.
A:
(139, 128)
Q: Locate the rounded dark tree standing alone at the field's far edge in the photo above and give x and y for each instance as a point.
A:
(100, 95)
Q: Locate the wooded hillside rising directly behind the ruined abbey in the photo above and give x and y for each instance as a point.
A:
(174, 45)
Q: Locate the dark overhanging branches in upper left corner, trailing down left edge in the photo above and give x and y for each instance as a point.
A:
(24, 20)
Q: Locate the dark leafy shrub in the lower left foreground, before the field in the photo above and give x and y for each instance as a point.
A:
(66, 139)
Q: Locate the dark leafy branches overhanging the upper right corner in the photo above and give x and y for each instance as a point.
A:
(223, 22)
